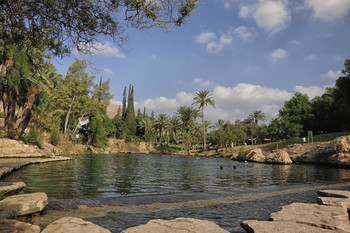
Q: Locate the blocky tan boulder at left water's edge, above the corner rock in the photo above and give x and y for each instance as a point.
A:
(26, 203)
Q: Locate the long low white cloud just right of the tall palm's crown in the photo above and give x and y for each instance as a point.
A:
(245, 94)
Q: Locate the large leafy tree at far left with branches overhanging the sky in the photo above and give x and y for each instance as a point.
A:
(29, 29)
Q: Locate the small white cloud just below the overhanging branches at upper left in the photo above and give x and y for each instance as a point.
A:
(106, 49)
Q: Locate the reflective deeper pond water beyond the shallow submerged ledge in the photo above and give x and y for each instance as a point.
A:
(132, 174)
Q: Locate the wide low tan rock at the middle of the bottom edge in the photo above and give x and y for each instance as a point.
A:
(179, 225)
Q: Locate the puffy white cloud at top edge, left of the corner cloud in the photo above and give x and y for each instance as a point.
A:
(269, 14)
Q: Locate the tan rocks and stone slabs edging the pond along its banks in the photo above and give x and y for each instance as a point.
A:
(329, 215)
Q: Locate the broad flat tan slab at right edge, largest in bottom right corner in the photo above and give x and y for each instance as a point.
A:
(329, 217)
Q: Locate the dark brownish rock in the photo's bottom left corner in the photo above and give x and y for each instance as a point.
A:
(13, 226)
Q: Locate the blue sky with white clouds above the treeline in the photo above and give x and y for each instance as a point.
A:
(249, 54)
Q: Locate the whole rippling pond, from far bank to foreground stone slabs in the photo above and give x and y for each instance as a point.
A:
(204, 188)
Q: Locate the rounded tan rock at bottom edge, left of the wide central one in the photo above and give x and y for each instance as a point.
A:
(73, 225)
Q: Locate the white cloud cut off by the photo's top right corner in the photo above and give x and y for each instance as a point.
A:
(329, 9)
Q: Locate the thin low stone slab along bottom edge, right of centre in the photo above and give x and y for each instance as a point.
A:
(253, 226)
